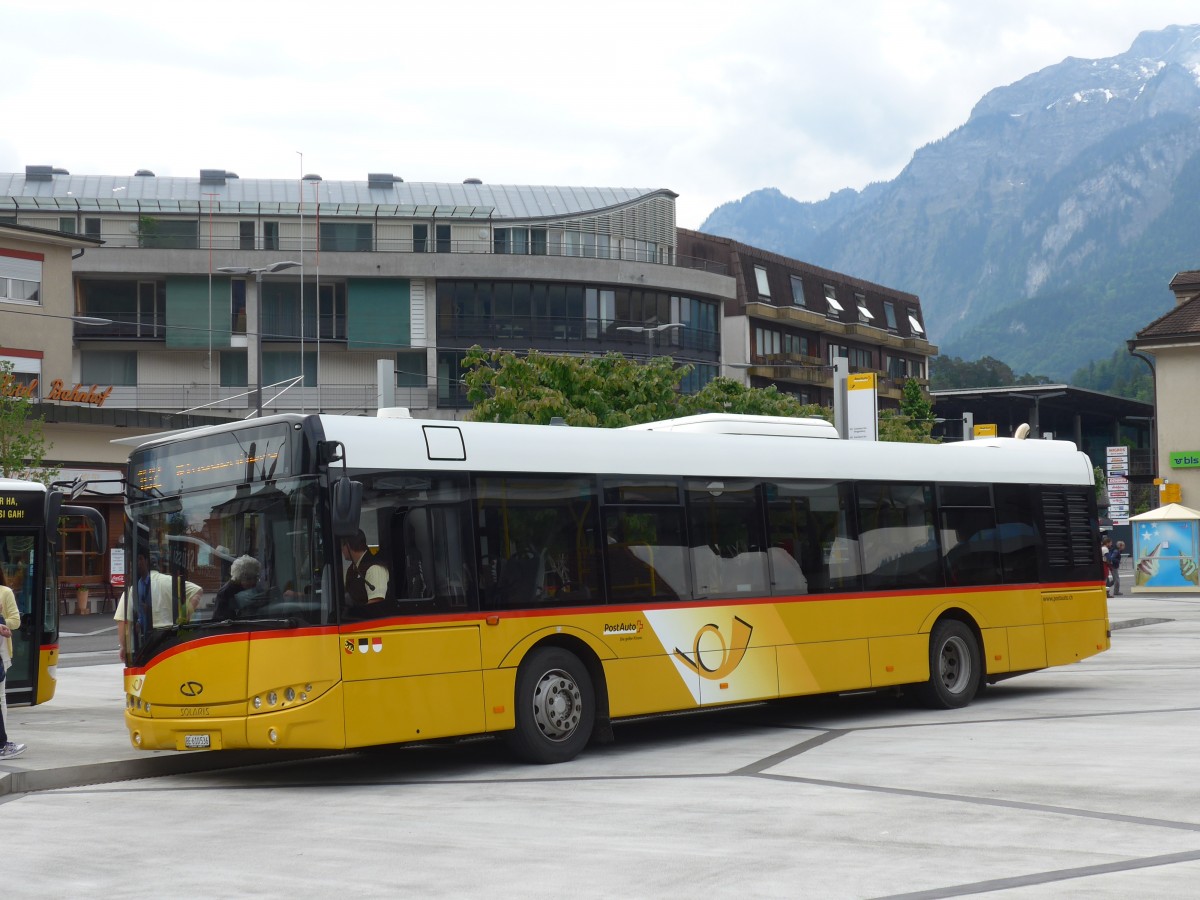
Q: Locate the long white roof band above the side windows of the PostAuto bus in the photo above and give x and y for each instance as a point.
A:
(425, 445)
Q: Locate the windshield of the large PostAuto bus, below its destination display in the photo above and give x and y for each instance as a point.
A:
(229, 559)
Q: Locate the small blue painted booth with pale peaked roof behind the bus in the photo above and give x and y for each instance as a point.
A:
(1166, 553)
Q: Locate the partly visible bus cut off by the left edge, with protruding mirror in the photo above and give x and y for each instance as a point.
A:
(29, 537)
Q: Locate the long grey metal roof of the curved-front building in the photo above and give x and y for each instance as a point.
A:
(149, 194)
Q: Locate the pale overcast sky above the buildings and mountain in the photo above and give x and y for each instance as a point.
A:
(709, 99)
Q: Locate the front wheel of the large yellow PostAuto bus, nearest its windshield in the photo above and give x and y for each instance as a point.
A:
(555, 707)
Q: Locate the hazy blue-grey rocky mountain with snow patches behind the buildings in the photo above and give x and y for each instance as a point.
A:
(1043, 231)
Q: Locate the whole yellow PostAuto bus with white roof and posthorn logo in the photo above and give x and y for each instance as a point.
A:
(543, 583)
